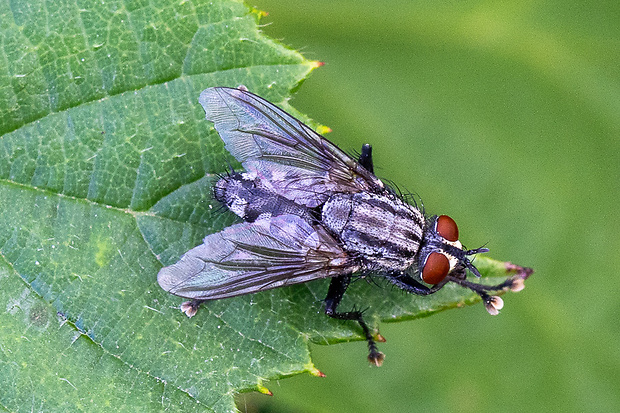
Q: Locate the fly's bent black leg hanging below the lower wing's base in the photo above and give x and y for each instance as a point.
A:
(336, 290)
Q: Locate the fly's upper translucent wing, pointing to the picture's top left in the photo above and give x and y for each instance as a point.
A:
(287, 156)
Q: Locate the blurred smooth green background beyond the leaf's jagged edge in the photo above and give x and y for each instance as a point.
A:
(505, 115)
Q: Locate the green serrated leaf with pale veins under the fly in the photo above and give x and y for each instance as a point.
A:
(106, 164)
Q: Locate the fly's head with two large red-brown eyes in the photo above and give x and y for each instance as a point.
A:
(441, 252)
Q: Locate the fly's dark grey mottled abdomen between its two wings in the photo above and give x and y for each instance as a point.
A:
(247, 198)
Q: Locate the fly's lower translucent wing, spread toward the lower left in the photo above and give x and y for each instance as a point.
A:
(251, 257)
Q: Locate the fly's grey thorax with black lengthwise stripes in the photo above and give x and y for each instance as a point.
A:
(379, 229)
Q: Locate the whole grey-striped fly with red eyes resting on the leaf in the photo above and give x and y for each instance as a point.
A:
(310, 211)
